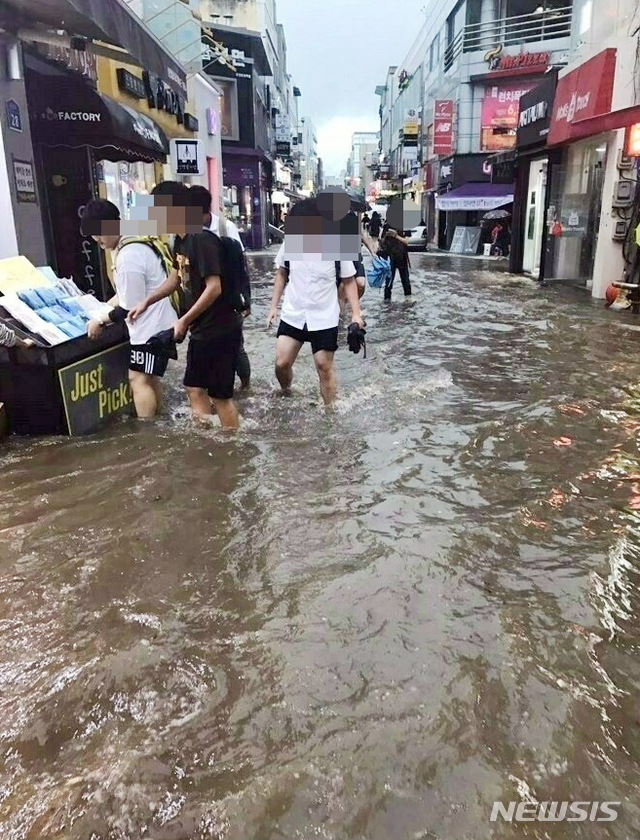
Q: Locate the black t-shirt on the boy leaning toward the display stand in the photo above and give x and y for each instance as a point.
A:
(203, 257)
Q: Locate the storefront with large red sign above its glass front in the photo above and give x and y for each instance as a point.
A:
(576, 183)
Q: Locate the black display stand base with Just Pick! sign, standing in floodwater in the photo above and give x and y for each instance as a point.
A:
(72, 388)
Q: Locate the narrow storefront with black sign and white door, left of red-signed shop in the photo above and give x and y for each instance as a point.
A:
(532, 167)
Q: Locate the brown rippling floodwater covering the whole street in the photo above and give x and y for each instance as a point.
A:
(364, 625)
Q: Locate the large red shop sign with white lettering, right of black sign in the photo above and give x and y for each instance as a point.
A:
(583, 93)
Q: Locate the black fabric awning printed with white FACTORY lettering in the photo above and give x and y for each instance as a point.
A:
(68, 112)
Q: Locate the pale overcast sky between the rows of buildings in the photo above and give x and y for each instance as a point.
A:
(337, 52)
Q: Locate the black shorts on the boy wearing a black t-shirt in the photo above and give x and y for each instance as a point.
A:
(211, 364)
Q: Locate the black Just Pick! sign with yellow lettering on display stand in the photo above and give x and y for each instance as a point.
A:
(96, 389)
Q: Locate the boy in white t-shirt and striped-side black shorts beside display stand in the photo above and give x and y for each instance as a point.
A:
(138, 271)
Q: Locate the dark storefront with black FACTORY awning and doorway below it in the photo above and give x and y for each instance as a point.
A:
(85, 144)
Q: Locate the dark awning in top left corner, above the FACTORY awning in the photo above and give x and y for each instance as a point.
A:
(103, 20)
